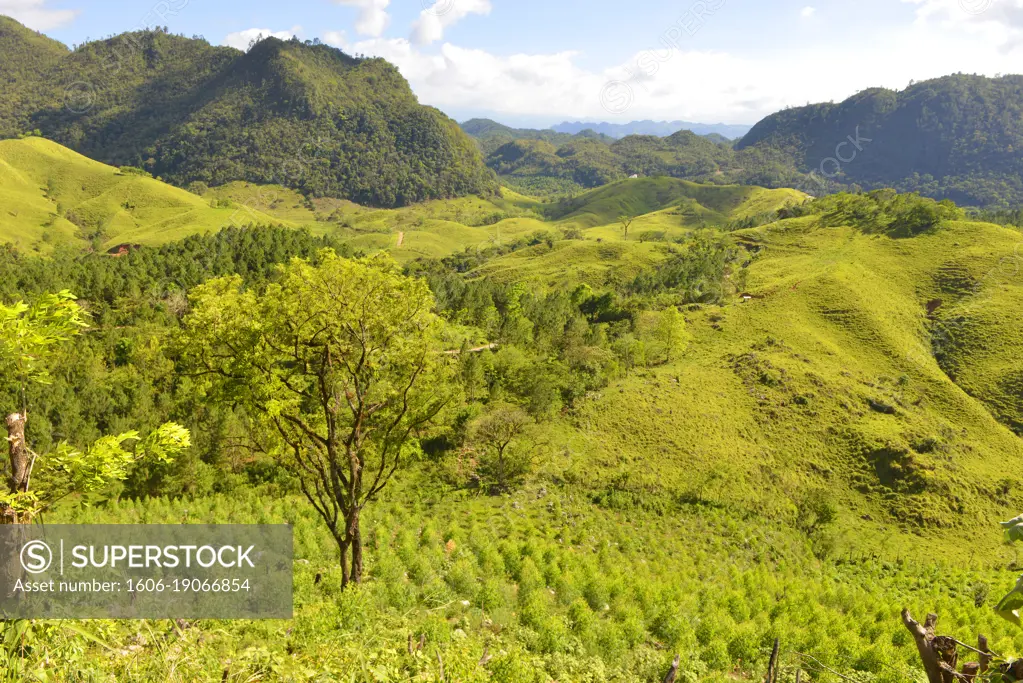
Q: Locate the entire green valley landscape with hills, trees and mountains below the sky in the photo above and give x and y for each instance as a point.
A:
(538, 405)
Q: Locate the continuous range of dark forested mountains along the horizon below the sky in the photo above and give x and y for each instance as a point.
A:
(316, 120)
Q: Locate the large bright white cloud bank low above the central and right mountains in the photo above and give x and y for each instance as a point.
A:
(696, 85)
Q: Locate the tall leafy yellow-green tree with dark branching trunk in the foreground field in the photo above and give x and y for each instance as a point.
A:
(341, 361)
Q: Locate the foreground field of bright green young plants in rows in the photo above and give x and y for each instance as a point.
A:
(536, 588)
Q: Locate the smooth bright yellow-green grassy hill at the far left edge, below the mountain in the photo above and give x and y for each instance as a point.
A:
(52, 196)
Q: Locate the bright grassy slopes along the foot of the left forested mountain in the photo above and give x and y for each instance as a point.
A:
(52, 196)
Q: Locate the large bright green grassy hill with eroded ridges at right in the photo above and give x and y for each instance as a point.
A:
(826, 380)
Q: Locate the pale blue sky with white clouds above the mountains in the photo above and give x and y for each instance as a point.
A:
(538, 63)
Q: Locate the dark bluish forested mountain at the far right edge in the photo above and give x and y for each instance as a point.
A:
(959, 138)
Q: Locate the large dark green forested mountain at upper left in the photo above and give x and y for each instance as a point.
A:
(302, 115)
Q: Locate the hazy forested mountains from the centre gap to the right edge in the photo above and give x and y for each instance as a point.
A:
(958, 138)
